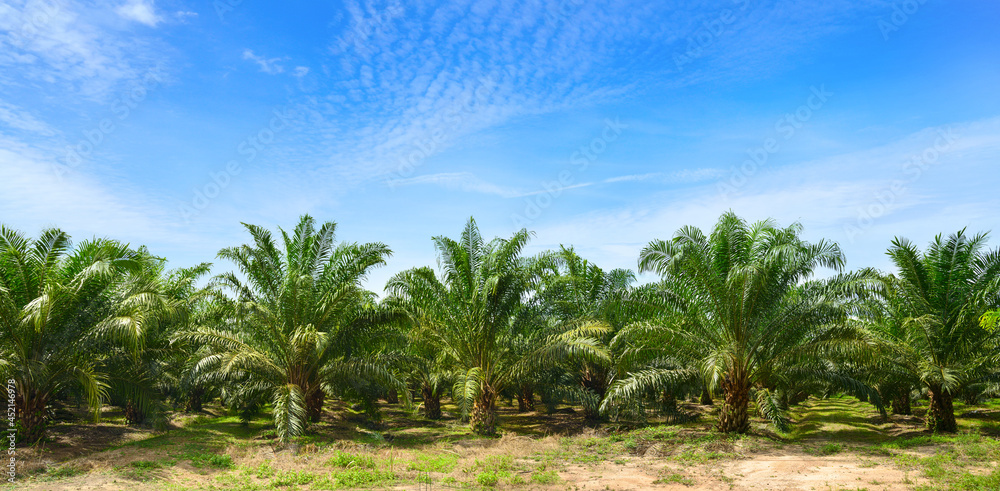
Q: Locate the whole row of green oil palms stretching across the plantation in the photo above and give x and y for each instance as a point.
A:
(745, 313)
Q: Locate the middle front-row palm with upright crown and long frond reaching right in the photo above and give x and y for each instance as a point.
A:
(470, 315)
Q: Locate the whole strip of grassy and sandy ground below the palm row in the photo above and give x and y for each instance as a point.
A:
(836, 443)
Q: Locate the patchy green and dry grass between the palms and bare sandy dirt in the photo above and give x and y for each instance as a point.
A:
(348, 456)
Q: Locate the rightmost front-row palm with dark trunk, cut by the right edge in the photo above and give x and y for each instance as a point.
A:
(934, 322)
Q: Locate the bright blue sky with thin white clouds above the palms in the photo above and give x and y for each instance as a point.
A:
(598, 124)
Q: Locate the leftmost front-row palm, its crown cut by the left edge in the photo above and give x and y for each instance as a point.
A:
(57, 305)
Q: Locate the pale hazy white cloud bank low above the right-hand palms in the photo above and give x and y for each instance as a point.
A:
(839, 198)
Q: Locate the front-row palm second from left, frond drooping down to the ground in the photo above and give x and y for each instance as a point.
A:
(299, 324)
